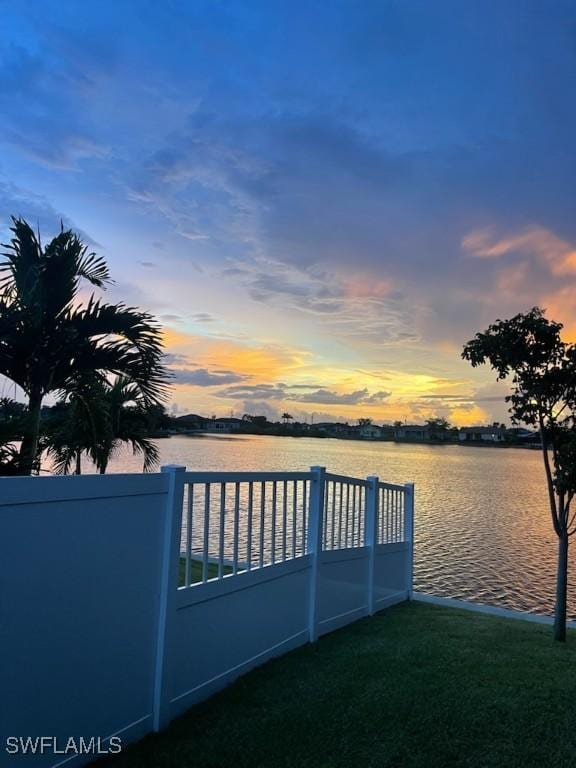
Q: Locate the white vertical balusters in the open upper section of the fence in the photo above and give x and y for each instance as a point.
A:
(235, 522)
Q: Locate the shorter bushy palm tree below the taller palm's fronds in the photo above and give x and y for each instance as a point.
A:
(96, 421)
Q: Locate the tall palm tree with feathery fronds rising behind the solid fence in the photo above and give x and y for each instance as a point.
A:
(49, 341)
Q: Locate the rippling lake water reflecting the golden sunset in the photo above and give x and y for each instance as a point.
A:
(483, 529)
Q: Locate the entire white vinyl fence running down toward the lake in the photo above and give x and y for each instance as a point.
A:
(125, 599)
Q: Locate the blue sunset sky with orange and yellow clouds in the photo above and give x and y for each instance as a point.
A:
(321, 202)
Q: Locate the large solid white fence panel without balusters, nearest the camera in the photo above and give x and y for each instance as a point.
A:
(80, 571)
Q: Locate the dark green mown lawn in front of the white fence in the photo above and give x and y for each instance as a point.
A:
(418, 685)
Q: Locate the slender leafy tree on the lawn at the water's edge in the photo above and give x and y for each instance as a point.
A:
(529, 348)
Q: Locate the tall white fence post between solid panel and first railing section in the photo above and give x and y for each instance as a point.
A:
(168, 586)
